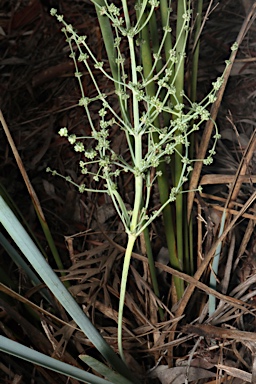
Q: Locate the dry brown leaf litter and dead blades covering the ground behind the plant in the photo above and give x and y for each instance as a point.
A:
(38, 96)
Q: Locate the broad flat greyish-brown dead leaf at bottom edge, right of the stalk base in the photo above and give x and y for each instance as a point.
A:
(178, 375)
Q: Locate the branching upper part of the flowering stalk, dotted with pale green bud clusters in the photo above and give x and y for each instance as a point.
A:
(183, 119)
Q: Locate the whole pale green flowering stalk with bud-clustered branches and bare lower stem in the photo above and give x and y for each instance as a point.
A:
(159, 128)
